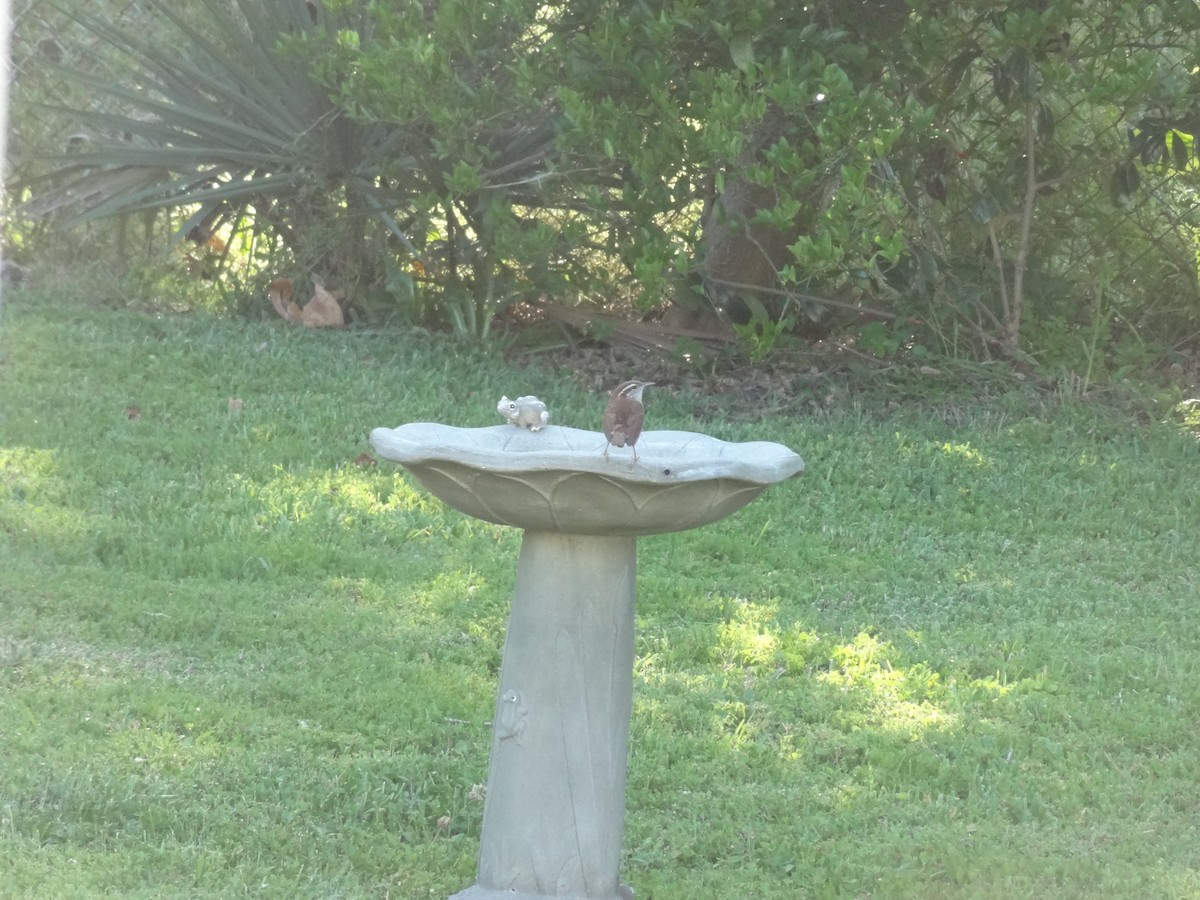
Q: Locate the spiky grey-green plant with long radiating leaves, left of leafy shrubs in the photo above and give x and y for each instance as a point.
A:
(224, 121)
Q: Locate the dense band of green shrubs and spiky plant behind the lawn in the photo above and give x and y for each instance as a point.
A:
(986, 178)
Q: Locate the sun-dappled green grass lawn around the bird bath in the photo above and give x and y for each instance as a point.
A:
(958, 658)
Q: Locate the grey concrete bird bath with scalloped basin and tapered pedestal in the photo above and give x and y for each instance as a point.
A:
(556, 789)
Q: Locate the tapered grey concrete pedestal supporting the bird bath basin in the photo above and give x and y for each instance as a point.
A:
(556, 790)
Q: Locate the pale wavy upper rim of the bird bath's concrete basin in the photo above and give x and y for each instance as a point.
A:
(665, 458)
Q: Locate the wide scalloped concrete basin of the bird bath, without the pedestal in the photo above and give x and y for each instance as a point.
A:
(559, 479)
